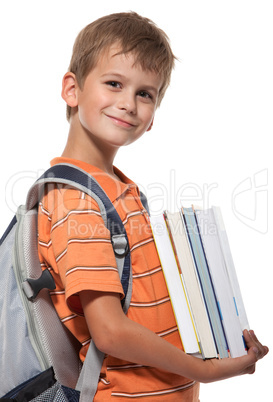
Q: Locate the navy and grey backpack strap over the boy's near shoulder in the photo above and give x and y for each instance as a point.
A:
(78, 178)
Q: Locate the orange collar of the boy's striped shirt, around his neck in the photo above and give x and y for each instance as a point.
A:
(114, 188)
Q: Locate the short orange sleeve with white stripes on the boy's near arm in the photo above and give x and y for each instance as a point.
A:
(82, 249)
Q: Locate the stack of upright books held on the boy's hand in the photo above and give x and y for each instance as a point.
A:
(195, 255)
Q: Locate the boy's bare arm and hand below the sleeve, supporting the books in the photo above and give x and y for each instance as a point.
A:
(118, 336)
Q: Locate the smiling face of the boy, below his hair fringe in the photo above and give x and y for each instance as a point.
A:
(118, 100)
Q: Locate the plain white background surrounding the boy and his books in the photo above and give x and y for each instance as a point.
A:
(210, 143)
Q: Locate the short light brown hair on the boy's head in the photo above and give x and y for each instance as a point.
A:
(133, 33)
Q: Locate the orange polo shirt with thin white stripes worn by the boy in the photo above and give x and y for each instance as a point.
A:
(75, 245)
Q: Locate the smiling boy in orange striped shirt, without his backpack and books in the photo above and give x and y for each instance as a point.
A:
(119, 71)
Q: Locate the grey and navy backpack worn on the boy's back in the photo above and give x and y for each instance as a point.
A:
(28, 320)
